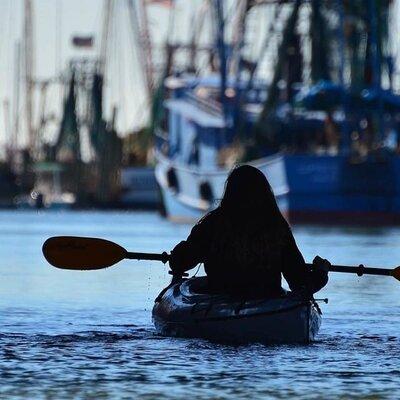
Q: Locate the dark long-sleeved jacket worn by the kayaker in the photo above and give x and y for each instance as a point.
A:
(239, 256)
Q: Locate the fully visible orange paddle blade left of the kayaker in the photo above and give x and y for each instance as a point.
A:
(80, 253)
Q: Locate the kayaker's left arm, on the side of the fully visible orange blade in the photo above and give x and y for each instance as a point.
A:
(190, 252)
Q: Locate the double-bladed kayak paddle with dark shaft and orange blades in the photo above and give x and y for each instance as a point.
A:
(84, 254)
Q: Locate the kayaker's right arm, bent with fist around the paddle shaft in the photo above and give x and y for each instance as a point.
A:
(297, 274)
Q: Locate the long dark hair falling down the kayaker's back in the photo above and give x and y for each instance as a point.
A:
(249, 223)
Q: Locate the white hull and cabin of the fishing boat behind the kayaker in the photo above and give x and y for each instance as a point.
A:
(188, 170)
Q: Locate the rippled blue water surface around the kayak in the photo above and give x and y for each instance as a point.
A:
(66, 334)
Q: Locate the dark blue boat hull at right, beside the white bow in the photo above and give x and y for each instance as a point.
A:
(334, 189)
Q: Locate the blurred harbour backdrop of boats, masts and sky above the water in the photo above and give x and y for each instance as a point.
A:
(149, 104)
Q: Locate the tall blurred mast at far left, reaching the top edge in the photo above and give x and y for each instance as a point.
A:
(29, 71)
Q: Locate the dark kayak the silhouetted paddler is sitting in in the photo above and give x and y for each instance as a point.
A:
(185, 309)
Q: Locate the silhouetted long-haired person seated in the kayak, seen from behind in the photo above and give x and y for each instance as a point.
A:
(246, 244)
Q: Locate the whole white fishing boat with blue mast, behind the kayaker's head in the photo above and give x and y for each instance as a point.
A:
(204, 133)
